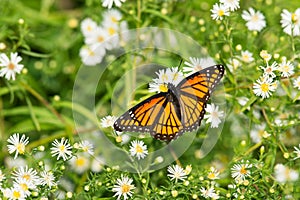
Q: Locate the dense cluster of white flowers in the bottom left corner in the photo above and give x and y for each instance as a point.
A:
(25, 181)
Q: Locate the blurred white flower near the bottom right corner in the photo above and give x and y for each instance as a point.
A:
(284, 174)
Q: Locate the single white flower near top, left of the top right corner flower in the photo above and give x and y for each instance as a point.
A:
(255, 19)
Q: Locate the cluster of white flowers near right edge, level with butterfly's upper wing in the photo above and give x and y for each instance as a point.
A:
(267, 83)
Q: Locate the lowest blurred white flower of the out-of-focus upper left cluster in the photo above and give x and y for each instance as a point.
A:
(92, 55)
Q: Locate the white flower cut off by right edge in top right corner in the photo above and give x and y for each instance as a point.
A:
(290, 22)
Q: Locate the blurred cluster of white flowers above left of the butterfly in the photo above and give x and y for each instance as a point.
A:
(101, 38)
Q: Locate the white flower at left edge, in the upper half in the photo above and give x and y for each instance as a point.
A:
(9, 67)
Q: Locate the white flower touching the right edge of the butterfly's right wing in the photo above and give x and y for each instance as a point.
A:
(213, 115)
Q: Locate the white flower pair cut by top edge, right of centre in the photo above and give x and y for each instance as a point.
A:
(222, 9)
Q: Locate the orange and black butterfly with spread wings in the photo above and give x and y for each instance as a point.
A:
(167, 115)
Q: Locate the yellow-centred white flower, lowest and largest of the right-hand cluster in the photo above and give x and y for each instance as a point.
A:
(264, 87)
